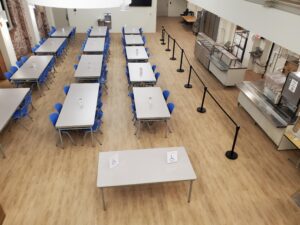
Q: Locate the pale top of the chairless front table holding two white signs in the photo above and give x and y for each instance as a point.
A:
(143, 166)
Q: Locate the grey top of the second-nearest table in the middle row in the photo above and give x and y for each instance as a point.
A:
(89, 67)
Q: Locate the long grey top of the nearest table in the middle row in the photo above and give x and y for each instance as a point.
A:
(79, 108)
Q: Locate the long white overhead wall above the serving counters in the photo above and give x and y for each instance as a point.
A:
(278, 26)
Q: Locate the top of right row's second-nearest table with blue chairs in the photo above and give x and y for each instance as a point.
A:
(141, 72)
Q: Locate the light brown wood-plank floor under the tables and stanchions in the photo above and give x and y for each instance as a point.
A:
(42, 184)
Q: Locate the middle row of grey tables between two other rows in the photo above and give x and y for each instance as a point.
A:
(80, 105)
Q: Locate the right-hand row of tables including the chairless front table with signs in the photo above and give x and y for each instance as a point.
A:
(144, 166)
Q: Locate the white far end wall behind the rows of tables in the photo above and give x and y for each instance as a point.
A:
(144, 17)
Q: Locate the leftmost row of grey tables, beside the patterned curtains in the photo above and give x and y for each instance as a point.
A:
(30, 72)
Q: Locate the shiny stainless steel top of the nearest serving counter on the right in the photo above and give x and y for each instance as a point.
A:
(253, 90)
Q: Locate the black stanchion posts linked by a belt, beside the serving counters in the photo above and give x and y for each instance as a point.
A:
(231, 154)
